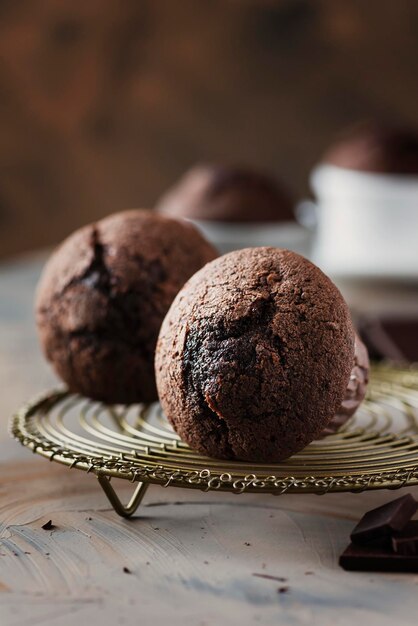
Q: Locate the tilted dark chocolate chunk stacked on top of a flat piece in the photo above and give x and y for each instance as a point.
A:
(379, 523)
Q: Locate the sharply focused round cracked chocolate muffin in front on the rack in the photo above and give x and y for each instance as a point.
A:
(254, 356)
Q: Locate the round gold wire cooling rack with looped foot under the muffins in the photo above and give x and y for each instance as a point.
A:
(376, 449)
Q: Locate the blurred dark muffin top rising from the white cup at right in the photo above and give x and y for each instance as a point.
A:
(376, 148)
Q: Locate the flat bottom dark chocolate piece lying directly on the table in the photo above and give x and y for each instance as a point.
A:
(376, 559)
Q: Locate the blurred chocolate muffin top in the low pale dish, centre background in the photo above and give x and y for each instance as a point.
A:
(227, 194)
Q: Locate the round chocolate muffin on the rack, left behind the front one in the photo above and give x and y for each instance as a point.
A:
(102, 298)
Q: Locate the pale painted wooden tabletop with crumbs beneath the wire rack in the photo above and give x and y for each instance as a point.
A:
(188, 557)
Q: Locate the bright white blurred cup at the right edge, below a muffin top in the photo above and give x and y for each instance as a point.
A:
(367, 224)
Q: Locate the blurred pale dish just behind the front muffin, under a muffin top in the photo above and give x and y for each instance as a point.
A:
(228, 236)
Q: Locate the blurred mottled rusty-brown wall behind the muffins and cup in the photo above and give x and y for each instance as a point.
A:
(104, 103)
